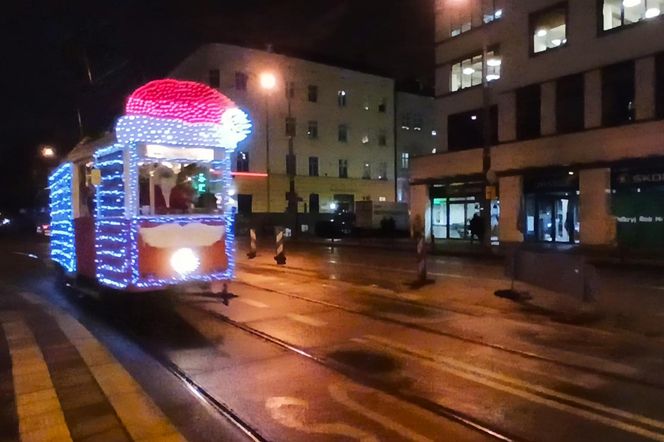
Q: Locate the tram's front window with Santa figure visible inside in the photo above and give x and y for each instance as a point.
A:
(167, 188)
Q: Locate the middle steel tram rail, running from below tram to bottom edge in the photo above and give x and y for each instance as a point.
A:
(354, 375)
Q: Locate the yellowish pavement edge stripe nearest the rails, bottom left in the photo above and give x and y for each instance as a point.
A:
(137, 412)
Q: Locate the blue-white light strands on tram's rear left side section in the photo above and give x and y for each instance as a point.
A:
(61, 209)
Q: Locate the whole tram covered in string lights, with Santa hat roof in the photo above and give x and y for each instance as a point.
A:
(149, 206)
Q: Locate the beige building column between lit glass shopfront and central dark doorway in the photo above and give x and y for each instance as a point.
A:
(511, 213)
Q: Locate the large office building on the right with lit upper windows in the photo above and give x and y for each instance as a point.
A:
(569, 98)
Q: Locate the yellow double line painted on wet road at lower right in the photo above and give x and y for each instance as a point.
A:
(474, 374)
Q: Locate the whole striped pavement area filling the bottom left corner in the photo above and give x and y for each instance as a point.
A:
(59, 383)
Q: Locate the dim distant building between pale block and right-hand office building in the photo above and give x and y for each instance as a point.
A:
(415, 135)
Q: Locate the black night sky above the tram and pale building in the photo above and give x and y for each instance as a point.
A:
(127, 42)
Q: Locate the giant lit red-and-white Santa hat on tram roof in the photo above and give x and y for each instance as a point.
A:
(182, 113)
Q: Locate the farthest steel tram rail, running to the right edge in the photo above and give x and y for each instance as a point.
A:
(479, 342)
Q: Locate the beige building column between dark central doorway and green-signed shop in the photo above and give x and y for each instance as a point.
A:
(597, 225)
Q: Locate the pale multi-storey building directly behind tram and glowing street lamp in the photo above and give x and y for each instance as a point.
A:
(340, 123)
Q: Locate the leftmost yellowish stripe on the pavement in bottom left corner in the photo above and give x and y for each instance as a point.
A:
(39, 412)
